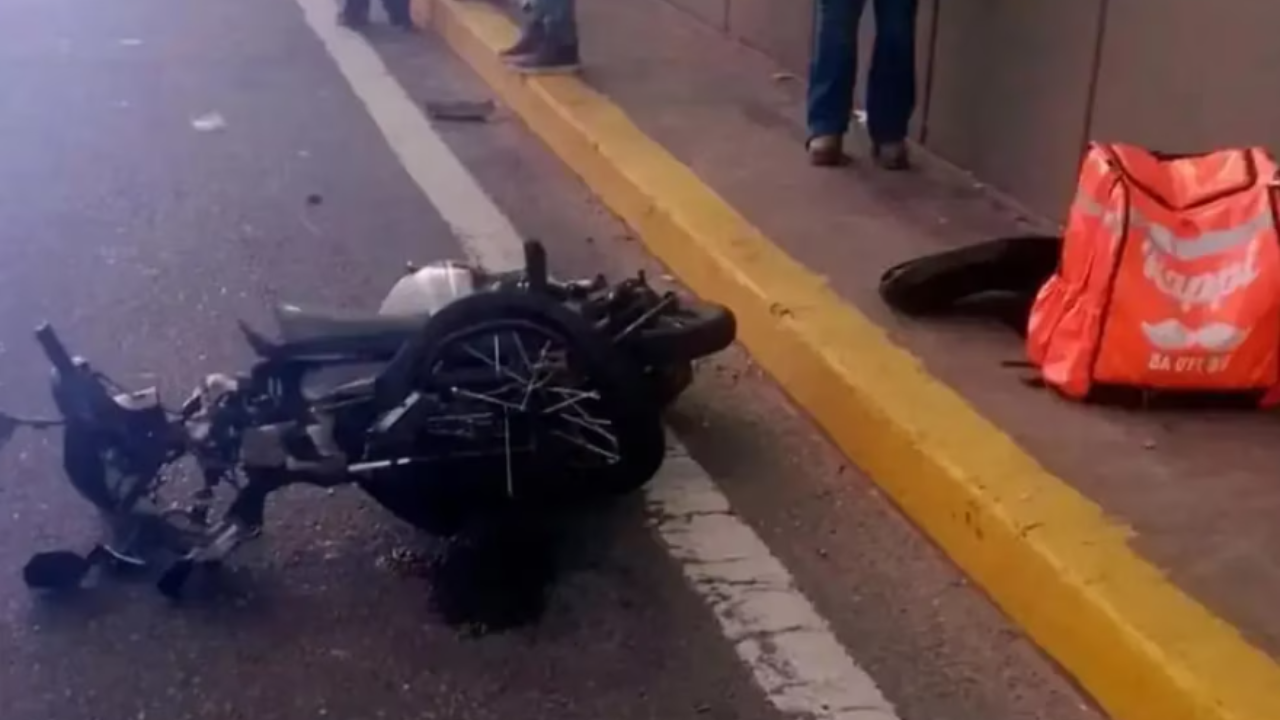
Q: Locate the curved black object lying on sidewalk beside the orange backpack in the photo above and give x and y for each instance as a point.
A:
(941, 284)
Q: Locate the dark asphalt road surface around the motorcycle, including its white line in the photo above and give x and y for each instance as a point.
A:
(168, 167)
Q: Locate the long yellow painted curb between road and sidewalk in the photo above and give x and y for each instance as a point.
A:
(1048, 555)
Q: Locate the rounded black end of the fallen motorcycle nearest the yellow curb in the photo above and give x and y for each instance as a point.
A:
(692, 331)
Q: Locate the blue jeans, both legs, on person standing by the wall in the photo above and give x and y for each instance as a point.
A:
(892, 83)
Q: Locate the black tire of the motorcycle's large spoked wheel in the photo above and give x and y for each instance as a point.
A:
(634, 417)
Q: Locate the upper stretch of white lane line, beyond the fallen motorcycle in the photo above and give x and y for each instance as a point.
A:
(484, 233)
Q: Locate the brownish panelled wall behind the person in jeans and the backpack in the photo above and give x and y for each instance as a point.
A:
(1012, 90)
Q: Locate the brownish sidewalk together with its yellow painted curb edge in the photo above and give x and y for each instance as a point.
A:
(1133, 548)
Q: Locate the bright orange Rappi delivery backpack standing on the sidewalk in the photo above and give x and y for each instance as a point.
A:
(1169, 277)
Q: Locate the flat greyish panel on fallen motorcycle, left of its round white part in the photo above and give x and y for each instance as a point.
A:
(317, 334)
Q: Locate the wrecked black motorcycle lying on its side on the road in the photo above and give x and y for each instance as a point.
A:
(472, 393)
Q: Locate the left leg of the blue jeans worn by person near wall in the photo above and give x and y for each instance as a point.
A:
(834, 67)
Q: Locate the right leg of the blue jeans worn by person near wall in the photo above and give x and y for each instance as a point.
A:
(892, 86)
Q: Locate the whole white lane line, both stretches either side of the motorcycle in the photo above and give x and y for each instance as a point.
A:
(789, 649)
